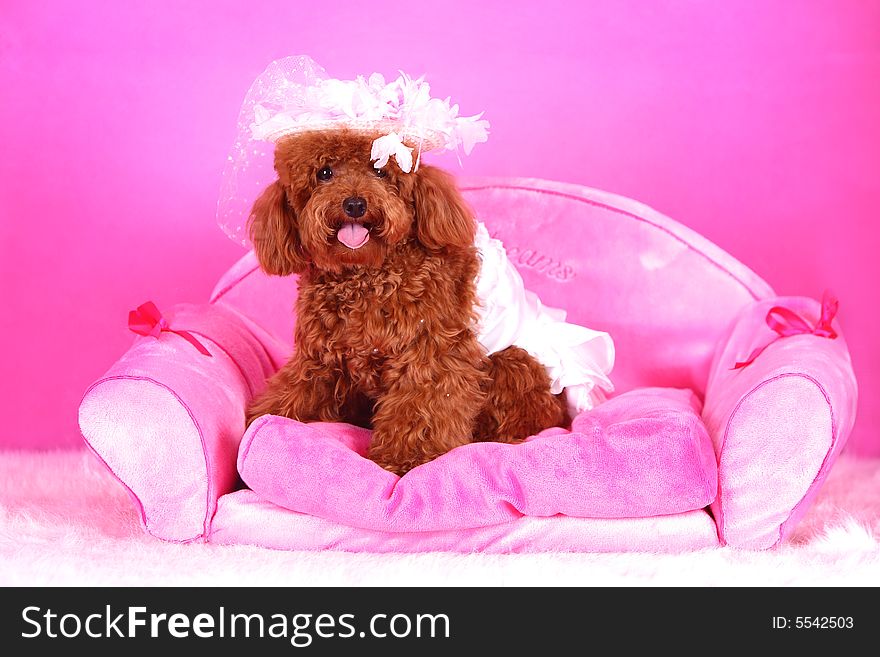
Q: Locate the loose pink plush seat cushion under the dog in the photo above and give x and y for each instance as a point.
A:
(643, 453)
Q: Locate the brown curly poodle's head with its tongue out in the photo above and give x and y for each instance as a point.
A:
(332, 209)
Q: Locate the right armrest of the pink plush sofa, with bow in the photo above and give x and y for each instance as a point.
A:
(778, 424)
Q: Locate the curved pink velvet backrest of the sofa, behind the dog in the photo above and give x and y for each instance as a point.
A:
(664, 293)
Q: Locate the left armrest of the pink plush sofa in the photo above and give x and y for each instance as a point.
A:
(167, 419)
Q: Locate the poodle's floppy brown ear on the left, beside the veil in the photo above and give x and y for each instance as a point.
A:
(275, 234)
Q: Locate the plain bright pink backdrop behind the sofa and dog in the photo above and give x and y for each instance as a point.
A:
(754, 123)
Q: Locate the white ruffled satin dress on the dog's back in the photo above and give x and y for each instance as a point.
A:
(577, 359)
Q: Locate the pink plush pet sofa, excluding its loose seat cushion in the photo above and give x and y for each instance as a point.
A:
(168, 421)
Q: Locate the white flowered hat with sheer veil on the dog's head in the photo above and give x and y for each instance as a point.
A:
(295, 95)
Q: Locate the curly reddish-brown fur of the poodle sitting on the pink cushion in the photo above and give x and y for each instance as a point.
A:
(385, 333)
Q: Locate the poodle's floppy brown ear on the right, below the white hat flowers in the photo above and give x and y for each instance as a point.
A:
(443, 219)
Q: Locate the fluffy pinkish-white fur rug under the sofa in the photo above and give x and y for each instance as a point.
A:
(64, 521)
